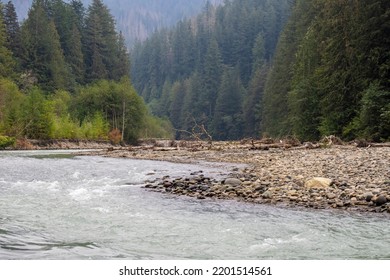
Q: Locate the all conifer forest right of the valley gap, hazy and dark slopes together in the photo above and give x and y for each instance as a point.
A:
(260, 68)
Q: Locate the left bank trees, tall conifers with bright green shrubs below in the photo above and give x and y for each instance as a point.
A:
(64, 73)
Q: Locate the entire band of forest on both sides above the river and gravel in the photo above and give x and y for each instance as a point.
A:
(248, 68)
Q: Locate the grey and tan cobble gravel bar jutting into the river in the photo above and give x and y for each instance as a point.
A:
(339, 176)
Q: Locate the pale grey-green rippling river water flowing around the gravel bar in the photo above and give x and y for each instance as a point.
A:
(57, 206)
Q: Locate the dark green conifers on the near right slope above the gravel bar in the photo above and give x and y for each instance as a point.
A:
(331, 73)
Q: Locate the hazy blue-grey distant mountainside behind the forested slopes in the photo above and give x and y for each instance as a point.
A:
(137, 19)
